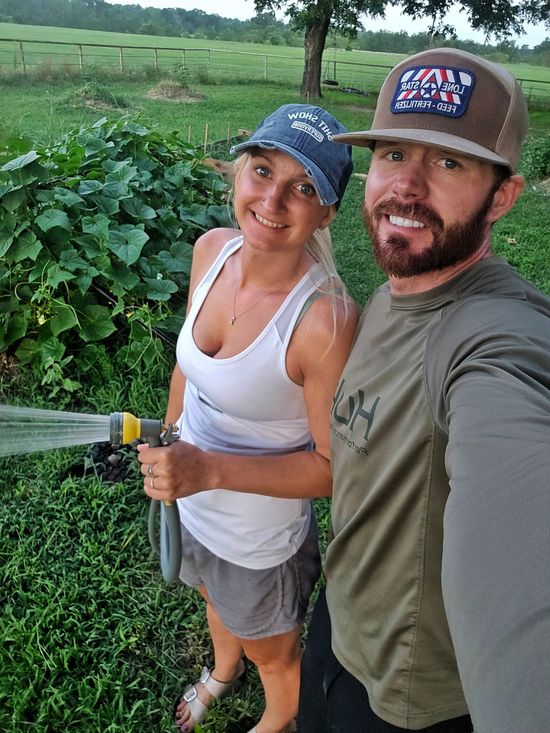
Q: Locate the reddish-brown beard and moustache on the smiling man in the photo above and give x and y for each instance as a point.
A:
(450, 245)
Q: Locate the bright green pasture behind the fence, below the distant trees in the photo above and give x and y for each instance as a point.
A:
(224, 59)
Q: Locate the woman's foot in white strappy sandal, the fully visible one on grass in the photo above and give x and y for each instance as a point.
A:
(197, 698)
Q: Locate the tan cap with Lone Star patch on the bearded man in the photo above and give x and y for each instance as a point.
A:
(452, 100)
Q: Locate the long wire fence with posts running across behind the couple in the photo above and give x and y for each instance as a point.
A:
(41, 58)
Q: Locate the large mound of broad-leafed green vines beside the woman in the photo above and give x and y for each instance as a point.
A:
(96, 235)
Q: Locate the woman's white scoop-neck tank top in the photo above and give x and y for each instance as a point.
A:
(246, 404)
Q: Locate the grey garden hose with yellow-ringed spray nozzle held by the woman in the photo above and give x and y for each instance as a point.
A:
(124, 428)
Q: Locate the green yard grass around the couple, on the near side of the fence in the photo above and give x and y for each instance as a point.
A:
(91, 639)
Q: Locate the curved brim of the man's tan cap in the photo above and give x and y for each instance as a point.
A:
(442, 140)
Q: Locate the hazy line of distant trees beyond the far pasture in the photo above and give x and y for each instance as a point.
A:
(263, 28)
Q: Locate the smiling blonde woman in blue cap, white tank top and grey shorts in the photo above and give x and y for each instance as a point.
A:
(267, 333)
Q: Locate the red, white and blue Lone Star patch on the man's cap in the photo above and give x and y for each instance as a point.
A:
(442, 90)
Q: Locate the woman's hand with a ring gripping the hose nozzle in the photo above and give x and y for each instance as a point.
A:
(173, 471)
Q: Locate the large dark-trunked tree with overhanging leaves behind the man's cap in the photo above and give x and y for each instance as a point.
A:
(315, 17)
